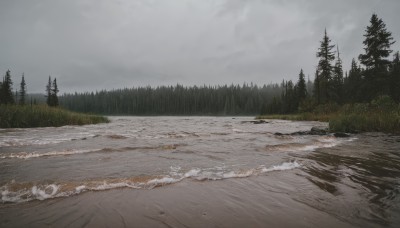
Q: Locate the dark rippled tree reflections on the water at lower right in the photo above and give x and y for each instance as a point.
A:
(372, 172)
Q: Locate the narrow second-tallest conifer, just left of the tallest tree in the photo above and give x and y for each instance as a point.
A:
(326, 56)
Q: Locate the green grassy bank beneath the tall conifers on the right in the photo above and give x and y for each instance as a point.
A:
(381, 115)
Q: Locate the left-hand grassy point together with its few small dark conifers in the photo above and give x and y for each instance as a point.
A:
(16, 113)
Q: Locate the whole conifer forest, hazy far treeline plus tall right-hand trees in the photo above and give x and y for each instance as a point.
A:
(331, 85)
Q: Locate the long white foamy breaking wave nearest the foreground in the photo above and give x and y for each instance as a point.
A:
(14, 192)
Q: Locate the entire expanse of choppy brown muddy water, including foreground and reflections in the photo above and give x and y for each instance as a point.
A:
(197, 172)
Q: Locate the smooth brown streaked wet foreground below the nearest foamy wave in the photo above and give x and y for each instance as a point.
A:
(242, 202)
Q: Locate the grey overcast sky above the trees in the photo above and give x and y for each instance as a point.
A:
(91, 45)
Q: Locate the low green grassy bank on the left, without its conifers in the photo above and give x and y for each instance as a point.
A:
(16, 116)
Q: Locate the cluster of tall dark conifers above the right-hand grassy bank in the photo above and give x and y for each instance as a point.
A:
(332, 88)
